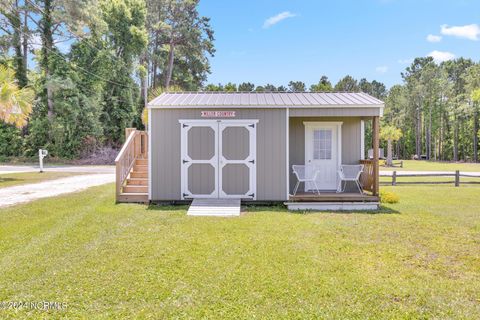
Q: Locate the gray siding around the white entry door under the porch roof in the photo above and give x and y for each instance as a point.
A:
(351, 140)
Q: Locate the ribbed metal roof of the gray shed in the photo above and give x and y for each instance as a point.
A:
(264, 99)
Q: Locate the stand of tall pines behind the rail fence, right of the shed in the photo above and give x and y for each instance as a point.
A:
(437, 109)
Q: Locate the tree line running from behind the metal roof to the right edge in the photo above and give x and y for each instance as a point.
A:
(432, 115)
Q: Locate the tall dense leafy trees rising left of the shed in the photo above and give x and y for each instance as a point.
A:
(84, 64)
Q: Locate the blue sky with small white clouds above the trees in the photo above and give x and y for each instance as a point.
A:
(275, 41)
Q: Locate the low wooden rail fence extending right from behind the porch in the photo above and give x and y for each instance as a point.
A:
(456, 175)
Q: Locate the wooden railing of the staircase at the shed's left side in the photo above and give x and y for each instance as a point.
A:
(135, 147)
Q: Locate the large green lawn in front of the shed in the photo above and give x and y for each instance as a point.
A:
(419, 258)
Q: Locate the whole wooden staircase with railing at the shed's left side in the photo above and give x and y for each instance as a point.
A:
(132, 169)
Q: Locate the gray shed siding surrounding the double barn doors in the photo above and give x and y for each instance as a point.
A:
(166, 151)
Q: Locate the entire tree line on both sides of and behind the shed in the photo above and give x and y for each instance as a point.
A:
(79, 71)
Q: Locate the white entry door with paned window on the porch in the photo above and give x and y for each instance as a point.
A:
(323, 150)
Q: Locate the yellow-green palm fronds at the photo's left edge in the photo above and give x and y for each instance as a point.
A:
(15, 103)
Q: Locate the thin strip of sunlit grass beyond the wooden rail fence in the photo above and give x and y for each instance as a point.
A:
(422, 165)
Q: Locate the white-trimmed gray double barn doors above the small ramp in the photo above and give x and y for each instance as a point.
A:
(218, 159)
